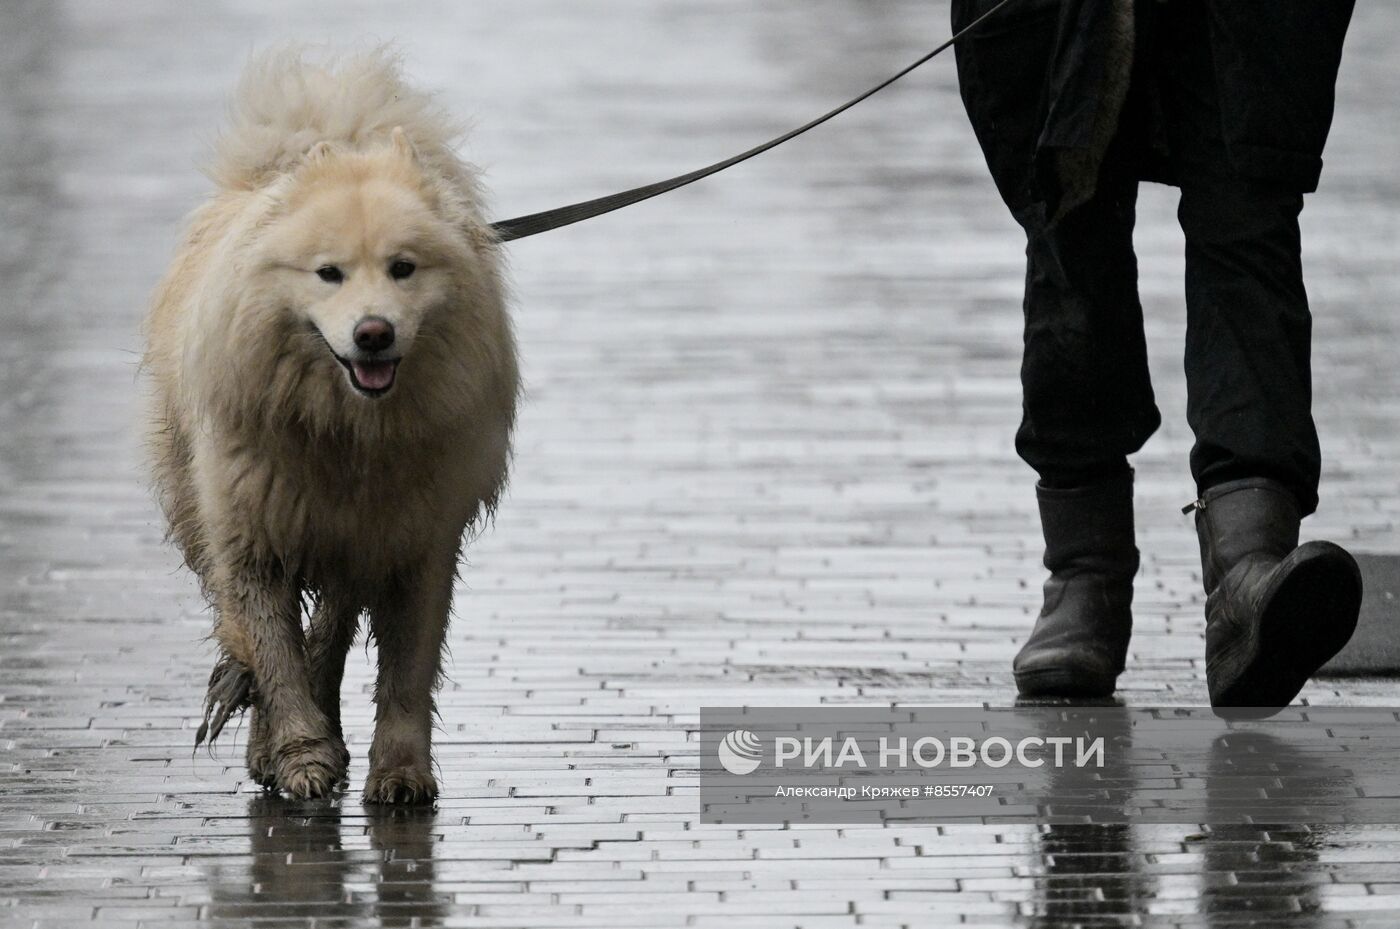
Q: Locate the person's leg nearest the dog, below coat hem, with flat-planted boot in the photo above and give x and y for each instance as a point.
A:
(1087, 406)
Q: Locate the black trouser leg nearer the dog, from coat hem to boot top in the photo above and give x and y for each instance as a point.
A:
(1087, 394)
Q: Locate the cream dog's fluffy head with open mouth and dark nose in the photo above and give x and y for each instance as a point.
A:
(377, 283)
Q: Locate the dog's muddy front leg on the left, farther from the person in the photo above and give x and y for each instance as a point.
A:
(261, 612)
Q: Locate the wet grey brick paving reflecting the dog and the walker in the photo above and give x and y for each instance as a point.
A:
(765, 458)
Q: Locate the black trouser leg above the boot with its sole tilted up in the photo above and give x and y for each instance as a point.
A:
(1248, 336)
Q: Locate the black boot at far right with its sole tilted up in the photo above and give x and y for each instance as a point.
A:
(1275, 611)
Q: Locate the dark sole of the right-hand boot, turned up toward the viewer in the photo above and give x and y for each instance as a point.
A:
(1308, 616)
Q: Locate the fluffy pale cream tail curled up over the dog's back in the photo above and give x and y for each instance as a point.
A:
(285, 106)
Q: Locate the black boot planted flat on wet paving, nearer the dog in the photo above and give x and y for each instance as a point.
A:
(1081, 637)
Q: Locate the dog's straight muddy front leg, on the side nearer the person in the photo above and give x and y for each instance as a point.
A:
(408, 629)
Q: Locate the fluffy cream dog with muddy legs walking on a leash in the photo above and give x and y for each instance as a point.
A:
(300, 461)
